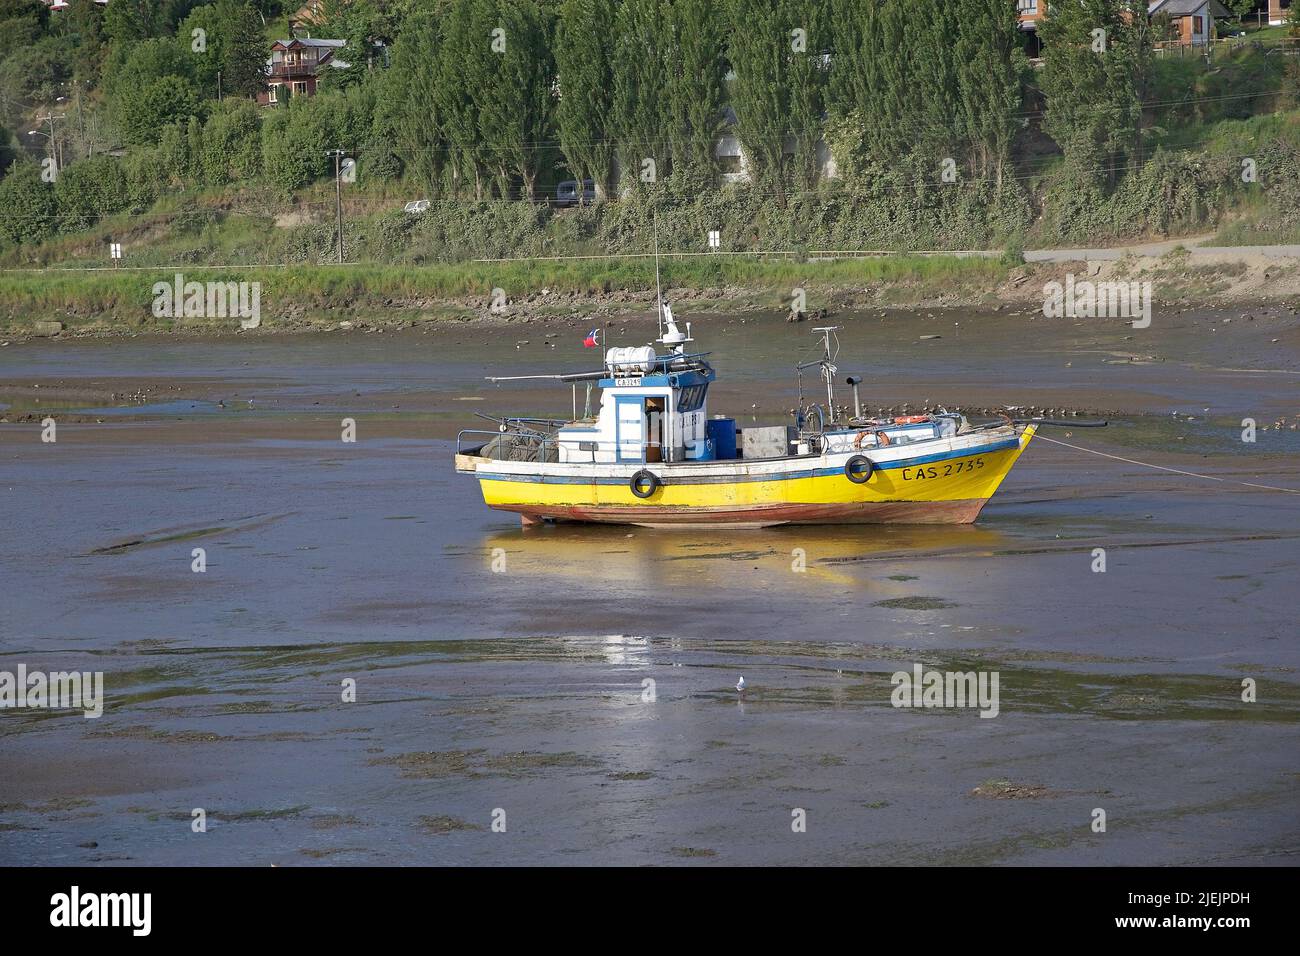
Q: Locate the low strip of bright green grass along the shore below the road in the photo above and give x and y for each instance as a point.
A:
(311, 296)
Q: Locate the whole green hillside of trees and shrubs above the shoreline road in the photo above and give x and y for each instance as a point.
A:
(939, 131)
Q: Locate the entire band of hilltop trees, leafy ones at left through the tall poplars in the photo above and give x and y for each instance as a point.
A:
(500, 98)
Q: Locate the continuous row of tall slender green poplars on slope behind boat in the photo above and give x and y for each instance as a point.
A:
(630, 92)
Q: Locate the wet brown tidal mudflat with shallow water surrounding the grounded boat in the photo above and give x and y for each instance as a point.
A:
(523, 690)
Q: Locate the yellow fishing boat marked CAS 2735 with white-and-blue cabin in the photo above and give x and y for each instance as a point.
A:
(652, 456)
